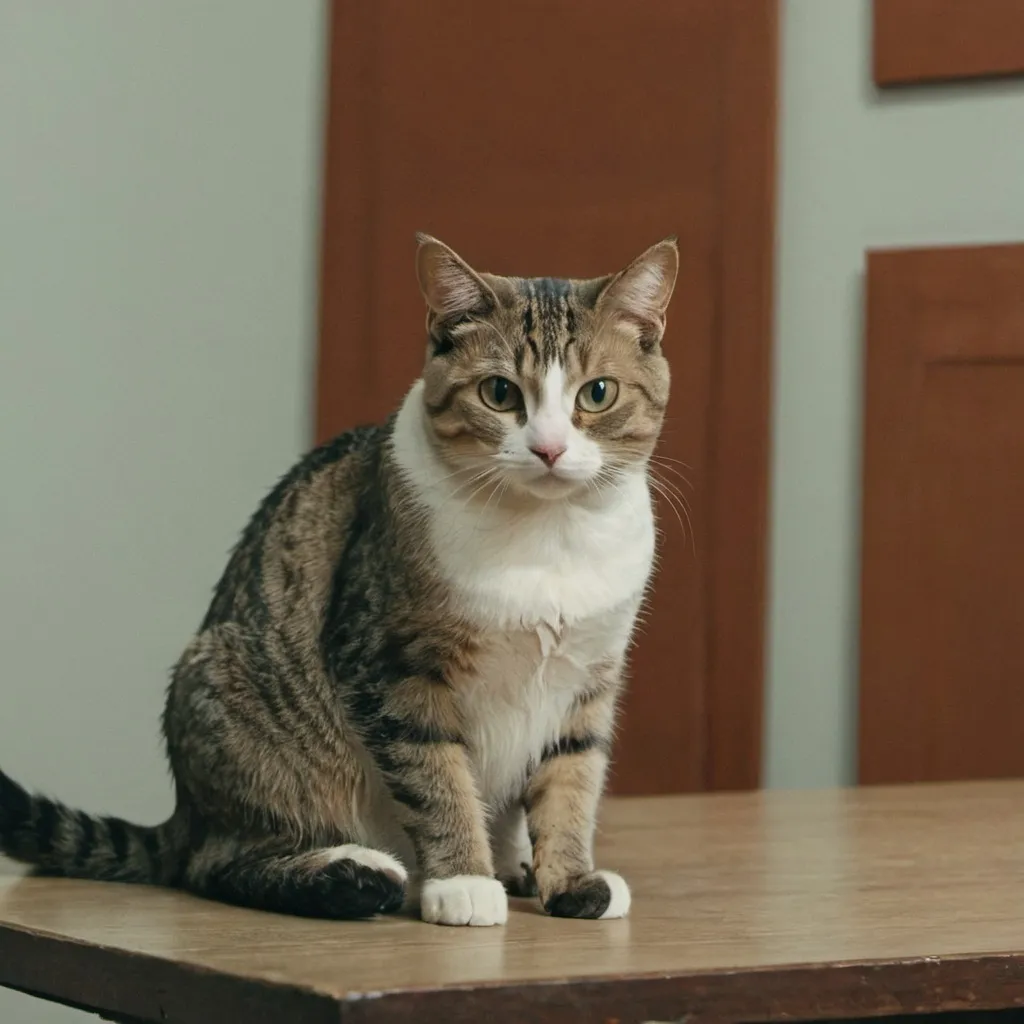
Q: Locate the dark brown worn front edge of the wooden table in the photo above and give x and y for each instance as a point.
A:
(147, 988)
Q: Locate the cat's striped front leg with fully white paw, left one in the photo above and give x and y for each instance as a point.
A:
(416, 741)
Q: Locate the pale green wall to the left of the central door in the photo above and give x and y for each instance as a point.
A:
(159, 207)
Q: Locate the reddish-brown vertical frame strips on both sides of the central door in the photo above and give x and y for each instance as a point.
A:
(740, 420)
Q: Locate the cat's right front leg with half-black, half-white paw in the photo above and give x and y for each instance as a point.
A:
(563, 800)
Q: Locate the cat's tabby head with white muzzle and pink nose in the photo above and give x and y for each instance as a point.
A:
(552, 386)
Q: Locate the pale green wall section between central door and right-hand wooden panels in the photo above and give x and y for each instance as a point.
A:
(931, 166)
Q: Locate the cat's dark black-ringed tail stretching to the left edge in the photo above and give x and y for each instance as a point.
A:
(62, 842)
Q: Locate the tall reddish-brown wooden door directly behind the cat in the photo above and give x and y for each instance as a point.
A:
(559, 138)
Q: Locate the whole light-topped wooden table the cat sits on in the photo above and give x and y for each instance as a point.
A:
(767, 907)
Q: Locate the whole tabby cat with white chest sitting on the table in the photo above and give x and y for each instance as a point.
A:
(414, 657)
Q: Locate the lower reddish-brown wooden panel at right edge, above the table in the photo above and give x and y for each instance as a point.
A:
(943, 642)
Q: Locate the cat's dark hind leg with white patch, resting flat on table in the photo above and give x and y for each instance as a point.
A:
(346, 882)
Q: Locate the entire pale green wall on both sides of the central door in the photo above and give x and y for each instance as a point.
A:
(159, 199)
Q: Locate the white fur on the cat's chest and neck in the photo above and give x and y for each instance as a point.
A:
(554, 590)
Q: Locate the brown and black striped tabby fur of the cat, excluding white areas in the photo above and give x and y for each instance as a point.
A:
(325, 681)
